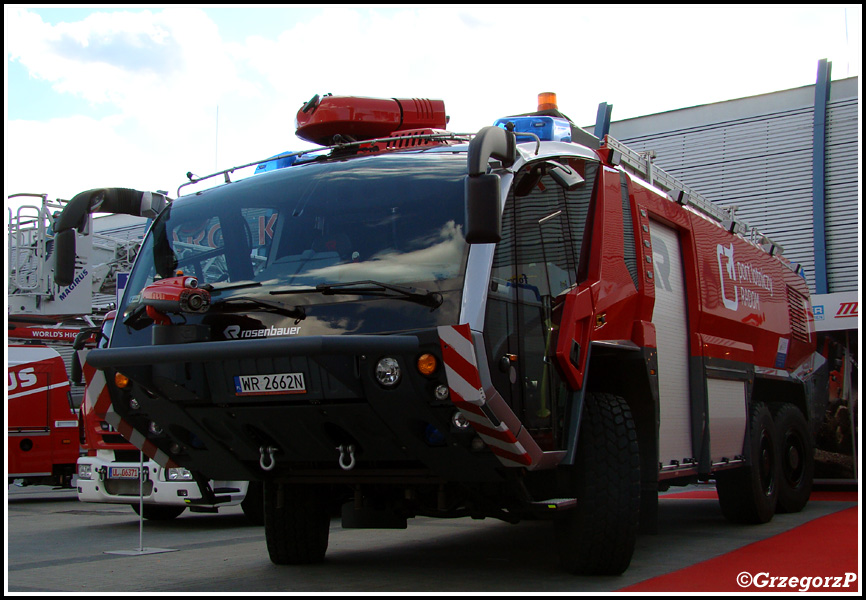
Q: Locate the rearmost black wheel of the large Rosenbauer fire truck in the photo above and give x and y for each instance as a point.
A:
(796, 457)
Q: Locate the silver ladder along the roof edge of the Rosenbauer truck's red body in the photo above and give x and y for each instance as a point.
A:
(641, 163)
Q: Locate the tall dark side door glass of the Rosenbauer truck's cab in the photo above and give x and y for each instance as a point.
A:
(536, 261)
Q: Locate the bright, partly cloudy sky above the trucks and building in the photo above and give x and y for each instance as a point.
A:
(137, 96)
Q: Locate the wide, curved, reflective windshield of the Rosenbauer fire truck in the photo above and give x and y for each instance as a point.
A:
(390, 219)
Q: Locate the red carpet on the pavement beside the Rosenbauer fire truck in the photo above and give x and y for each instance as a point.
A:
(824, 550)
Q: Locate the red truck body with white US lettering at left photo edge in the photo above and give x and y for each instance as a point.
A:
(42, 435)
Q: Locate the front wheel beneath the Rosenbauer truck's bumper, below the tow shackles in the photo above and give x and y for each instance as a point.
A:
(296, 523)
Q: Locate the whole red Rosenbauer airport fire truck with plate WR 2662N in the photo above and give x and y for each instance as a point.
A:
(522, 323)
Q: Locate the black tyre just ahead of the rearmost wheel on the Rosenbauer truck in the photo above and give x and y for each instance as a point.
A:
(749, 494)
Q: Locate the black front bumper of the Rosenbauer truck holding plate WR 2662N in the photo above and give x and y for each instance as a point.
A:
(189, 392)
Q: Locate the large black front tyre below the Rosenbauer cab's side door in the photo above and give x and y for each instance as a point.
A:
(598, 536)
